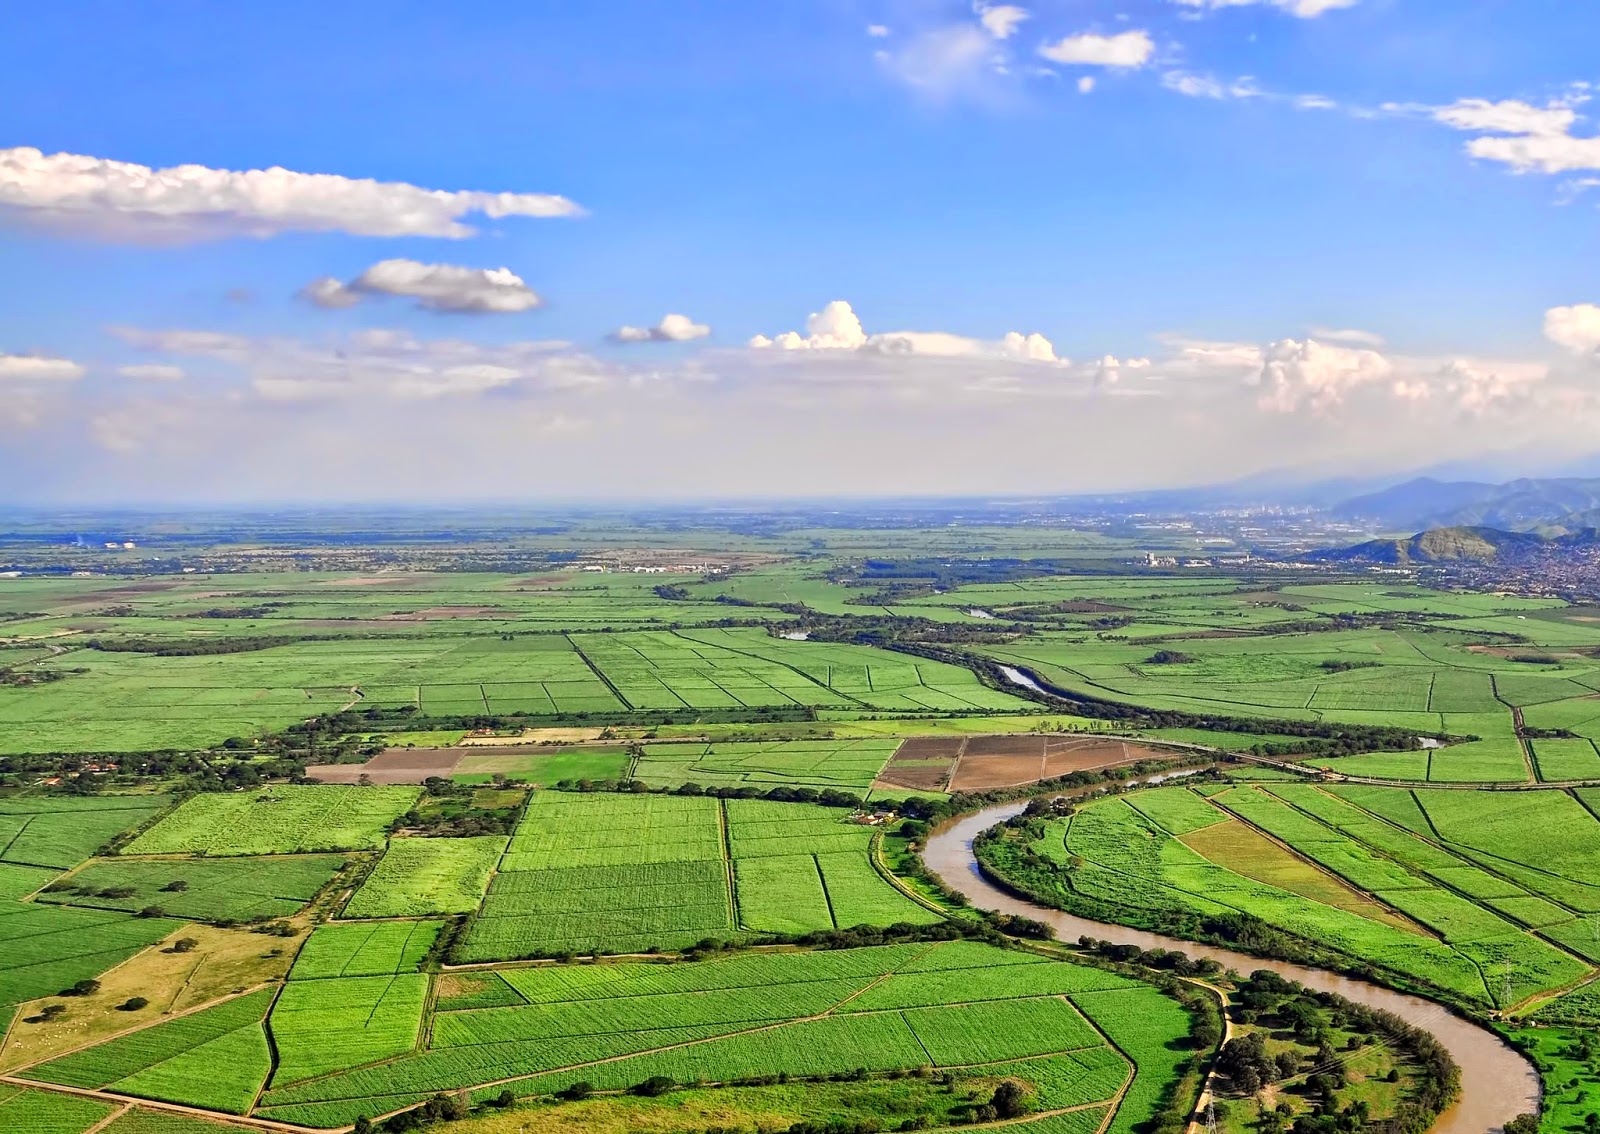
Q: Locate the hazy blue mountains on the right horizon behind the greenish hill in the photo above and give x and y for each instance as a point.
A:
(1551, 508)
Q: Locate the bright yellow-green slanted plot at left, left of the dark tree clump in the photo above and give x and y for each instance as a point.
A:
(279, 820)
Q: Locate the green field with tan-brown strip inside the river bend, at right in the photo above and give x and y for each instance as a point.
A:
(1447, 914)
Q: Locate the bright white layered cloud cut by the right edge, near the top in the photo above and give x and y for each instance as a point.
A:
(1524, 137)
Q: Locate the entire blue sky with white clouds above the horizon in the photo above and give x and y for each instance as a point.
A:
(1242, 228)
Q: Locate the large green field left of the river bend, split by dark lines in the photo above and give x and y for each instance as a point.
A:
(631, 872)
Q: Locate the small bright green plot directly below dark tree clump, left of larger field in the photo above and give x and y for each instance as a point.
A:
(428, 876)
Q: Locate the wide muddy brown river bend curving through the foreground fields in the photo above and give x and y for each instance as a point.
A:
(1497, 1084)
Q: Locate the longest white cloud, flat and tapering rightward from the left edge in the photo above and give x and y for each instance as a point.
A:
(92, 196)
